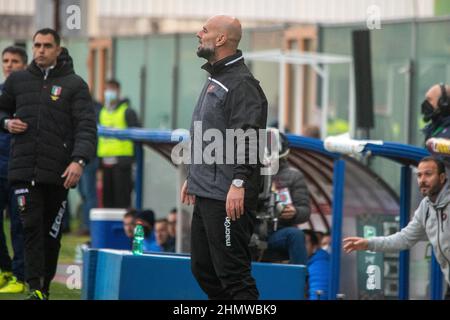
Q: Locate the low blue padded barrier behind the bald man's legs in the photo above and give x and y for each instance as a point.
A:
(118, 275)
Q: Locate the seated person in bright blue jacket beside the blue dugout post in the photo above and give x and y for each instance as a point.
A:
(318, 267)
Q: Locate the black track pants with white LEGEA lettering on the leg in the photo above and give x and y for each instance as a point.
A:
(41, 208)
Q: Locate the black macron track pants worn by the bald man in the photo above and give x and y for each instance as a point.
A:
(221, 260)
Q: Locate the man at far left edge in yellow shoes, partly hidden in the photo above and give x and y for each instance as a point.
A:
(12, 273)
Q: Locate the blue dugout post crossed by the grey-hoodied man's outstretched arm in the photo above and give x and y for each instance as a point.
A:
(405, 206)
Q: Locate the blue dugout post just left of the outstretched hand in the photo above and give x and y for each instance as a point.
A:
(336, 231)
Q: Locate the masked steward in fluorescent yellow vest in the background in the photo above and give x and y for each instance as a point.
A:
(116, 155)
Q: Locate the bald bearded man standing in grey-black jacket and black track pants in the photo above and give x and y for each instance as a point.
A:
(225, 195)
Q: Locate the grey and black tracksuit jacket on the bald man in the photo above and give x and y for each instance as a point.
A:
(231, 99)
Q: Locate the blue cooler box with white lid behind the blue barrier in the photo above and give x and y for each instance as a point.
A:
(107, 229)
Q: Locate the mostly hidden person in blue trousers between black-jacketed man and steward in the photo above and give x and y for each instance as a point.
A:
(87, 186)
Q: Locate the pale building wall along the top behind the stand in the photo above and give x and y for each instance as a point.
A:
(122, 17)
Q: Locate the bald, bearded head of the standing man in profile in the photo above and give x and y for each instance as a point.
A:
(219, 38)
